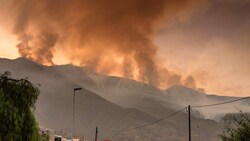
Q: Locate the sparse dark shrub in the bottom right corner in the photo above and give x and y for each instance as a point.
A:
(237, 129)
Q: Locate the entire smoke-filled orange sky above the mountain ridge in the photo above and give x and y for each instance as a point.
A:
(120, 38)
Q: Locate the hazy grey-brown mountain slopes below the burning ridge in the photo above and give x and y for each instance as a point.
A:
(114, 104)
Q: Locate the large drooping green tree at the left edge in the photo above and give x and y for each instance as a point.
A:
(17, 103)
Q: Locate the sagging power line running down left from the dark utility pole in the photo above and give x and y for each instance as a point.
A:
(134, 128)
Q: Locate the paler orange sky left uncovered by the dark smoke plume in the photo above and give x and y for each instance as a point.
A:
(212, 45)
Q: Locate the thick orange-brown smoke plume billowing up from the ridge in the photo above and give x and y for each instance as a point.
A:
(105, 35)
